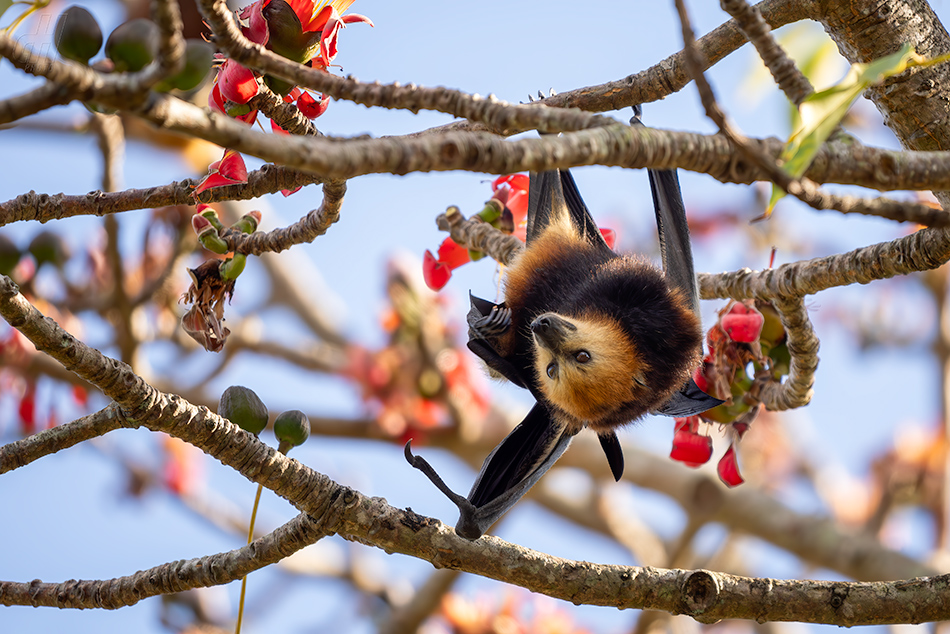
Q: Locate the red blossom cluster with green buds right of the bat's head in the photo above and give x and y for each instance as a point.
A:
(746, 344)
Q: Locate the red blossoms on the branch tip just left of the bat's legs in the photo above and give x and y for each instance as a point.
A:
(506, 210)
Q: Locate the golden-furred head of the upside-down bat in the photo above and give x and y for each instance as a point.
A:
(587, 365)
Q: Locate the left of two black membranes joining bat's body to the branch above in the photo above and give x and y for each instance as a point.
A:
(553, 195)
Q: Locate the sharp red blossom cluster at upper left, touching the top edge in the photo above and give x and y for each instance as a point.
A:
(305, 31)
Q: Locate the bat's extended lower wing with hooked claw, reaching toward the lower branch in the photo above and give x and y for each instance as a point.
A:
(513, 467)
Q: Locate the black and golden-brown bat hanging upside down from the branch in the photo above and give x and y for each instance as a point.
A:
(599, 339)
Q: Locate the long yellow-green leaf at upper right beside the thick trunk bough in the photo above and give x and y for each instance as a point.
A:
(822, 111)
